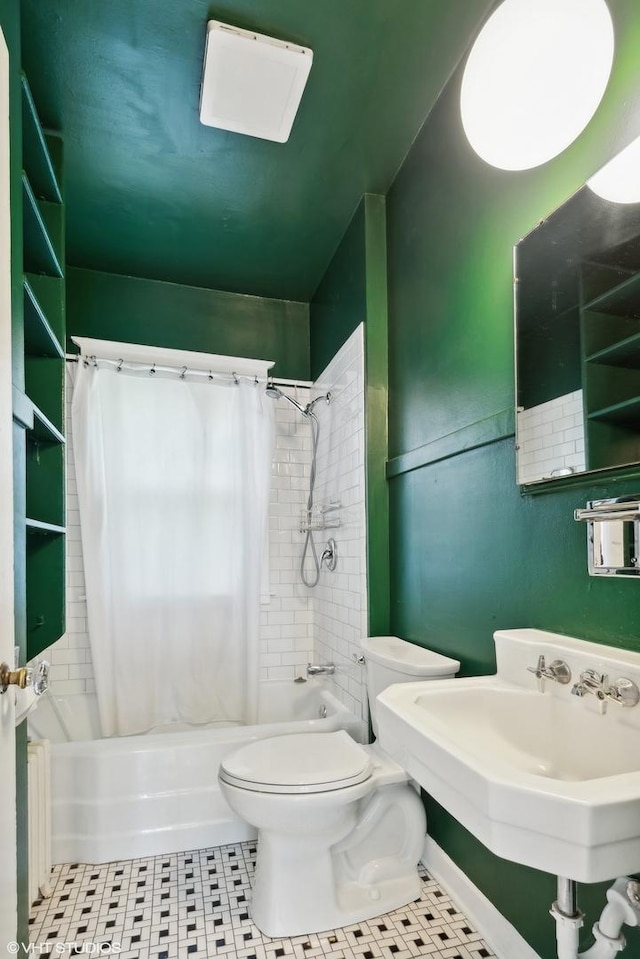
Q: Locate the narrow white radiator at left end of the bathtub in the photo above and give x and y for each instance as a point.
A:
(39, 806)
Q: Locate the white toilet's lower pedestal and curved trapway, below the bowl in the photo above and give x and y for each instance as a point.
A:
(304, 885)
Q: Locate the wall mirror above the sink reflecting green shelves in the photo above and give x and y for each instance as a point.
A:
(577, 304)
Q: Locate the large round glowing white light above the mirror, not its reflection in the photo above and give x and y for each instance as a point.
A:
(534, 79)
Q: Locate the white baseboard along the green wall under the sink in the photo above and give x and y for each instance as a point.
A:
(499, 934)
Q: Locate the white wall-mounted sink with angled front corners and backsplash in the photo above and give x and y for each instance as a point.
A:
(541, 778)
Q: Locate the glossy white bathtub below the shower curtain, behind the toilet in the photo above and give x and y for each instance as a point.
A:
(150, 795)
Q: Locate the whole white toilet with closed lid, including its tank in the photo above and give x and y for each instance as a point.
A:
(340, 829)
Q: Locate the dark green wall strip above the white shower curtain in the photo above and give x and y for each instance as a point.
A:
(132, 310)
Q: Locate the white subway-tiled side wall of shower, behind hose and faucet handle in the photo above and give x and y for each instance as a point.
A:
(340, 599)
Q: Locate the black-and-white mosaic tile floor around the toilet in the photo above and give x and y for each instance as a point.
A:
(194, 904)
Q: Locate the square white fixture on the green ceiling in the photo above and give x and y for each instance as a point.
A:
(251, 83)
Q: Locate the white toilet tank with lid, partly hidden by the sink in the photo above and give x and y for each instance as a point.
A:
(392, 660)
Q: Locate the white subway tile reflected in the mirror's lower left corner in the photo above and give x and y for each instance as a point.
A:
(551, 438)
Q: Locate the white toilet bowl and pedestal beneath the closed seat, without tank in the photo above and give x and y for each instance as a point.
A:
(333, 858)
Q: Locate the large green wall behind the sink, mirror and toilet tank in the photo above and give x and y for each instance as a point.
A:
(469, 553)
